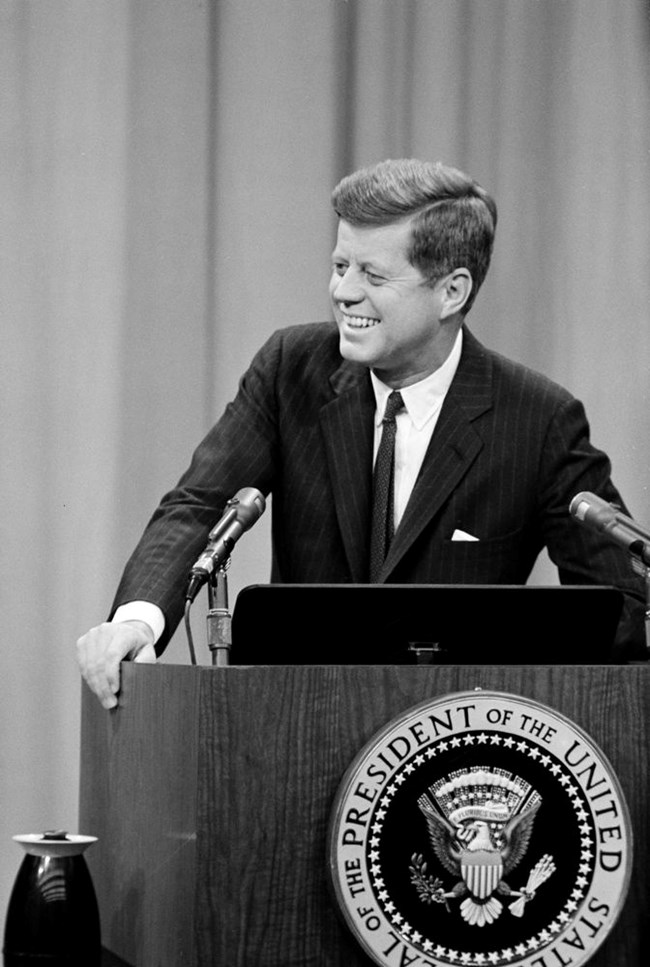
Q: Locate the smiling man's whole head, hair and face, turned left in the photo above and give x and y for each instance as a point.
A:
(413, 247)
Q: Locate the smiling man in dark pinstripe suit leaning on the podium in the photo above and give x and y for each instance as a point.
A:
(487, 454)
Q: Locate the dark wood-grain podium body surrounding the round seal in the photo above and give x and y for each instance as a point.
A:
(211, 789)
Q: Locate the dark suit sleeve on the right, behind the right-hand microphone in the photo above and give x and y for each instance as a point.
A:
(571, 464)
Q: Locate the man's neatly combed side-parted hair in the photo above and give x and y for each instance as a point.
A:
(454, 219)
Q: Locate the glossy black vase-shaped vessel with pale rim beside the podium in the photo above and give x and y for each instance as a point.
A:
(52, 918)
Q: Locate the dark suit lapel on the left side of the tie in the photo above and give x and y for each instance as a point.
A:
(348, 426)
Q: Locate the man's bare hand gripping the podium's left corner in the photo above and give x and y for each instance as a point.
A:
(100, 651)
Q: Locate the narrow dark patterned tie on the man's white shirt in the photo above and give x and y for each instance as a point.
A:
(382, 525)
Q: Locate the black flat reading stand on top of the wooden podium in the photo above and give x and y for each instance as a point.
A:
(345, 624)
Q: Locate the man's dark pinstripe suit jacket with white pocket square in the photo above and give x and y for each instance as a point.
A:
(509, 452)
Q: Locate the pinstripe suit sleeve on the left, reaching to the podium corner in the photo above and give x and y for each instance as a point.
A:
(239, 451)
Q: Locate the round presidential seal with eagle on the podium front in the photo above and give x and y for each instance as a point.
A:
(481, 828)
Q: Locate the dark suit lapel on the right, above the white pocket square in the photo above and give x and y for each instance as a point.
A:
(454, 446)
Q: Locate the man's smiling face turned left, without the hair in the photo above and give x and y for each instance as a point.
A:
(388, 318)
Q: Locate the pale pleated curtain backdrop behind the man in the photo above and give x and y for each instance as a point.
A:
(165, 175)
